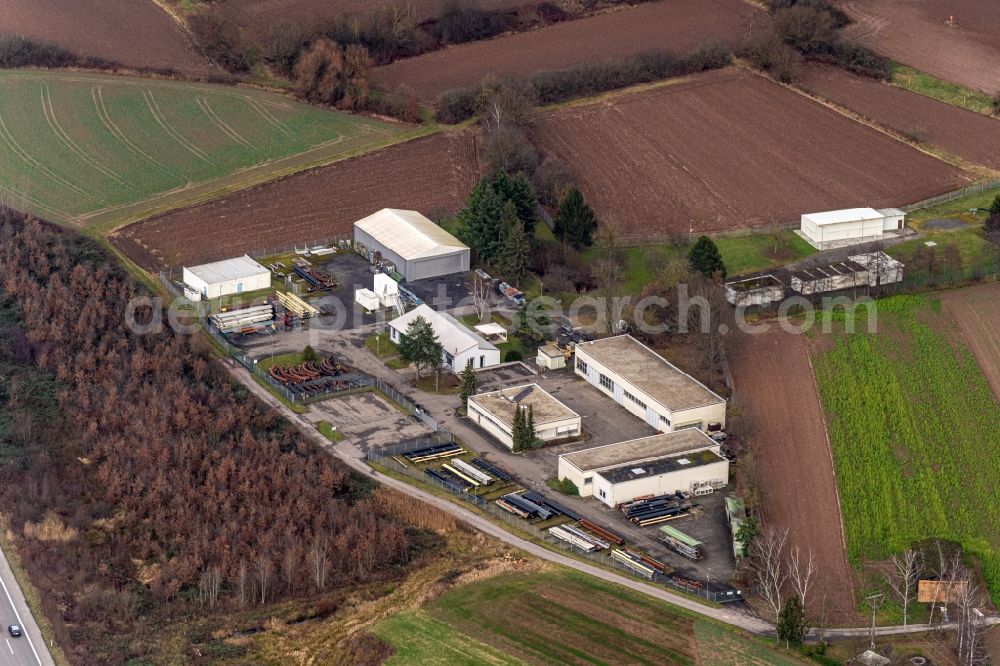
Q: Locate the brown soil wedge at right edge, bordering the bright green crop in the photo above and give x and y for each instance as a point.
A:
(976, 311)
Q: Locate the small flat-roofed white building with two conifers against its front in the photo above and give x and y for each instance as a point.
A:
(494, 412)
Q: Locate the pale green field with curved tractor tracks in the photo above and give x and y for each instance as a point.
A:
(91, 149)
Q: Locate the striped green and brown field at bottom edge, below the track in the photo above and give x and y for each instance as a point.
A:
(561, 617)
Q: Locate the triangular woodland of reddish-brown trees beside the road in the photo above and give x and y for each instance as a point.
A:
(141, 484)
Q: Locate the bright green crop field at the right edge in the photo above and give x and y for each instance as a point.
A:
(915, 432)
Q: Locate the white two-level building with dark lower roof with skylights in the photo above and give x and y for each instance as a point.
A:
(655, 465)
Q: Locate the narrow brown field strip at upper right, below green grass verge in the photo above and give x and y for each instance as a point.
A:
(965, 134)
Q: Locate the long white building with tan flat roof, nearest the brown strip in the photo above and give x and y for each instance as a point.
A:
(649, 386)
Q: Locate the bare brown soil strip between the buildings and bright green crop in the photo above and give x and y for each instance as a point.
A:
(774, 379)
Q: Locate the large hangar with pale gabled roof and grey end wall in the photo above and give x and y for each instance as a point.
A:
(414, 244)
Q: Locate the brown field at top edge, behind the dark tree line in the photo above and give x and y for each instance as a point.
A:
(259, 16)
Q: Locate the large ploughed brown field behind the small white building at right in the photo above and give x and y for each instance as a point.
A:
(729, 150)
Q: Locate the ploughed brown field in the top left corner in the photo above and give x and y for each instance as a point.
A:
(135, 33)
